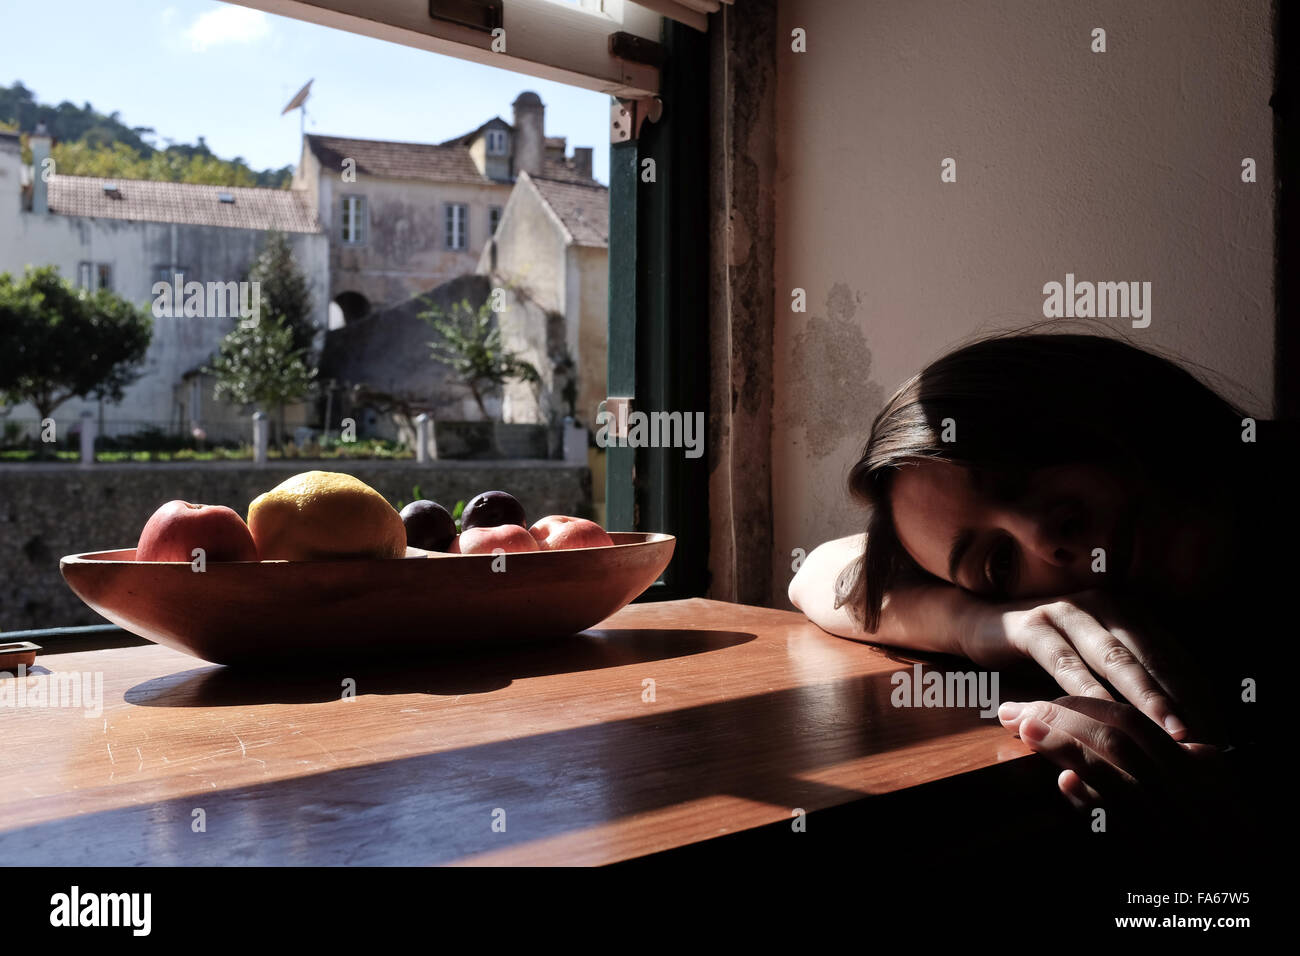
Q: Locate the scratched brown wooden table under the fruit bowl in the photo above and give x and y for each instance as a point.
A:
(669, 725)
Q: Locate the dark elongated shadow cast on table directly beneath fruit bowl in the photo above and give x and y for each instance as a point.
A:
(448, 674)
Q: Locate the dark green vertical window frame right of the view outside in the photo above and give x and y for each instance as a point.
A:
(658, 347)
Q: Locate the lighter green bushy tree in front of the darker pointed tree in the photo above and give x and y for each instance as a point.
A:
(258, 365)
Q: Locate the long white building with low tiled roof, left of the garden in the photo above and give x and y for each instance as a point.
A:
(128, 235)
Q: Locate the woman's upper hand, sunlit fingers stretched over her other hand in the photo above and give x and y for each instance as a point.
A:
(1087, 646)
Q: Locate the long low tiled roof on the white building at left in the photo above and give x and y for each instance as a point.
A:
(183, 202)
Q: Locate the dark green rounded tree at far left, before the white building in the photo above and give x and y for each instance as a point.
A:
(60, 343)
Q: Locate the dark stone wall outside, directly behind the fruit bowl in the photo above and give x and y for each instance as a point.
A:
(51, 511)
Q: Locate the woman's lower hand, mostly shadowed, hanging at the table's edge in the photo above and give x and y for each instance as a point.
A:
(1111, 754)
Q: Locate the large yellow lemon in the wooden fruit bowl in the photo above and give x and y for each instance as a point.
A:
(326, 514)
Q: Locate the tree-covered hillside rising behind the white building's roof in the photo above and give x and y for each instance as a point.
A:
(93, 144)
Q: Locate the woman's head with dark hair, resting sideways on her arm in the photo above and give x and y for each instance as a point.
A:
(1019, 466)
